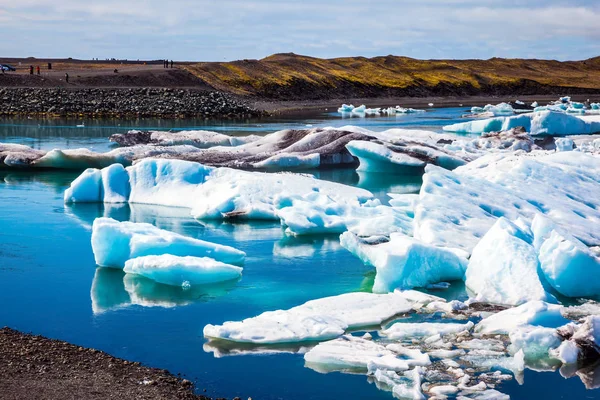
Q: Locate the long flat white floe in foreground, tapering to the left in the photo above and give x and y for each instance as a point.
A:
(316, 320)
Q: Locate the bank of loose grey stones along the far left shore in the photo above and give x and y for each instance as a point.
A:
(123, 102)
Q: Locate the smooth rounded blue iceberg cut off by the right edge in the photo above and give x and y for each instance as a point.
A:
(569, 266)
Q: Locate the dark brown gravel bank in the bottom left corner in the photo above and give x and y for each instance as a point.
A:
(34, 367)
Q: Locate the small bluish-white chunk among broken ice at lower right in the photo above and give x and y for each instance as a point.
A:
(535, 342)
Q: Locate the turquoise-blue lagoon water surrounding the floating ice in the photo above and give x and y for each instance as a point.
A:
(49, 283)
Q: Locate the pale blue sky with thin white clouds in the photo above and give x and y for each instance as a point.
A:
(202, 30)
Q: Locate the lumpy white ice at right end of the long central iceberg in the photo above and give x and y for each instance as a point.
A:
(316, 213)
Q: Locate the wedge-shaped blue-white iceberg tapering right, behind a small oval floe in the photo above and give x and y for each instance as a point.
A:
(116, 242)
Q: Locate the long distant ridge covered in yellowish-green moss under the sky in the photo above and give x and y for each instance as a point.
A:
(288, 76)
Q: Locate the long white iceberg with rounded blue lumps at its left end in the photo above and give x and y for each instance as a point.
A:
(211, 193)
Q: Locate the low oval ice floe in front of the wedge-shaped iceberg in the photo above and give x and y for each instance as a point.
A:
(177, 271)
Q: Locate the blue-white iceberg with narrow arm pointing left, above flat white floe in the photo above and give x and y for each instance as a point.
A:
(405, 262)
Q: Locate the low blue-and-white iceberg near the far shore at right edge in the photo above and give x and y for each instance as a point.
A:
(542, 123)
